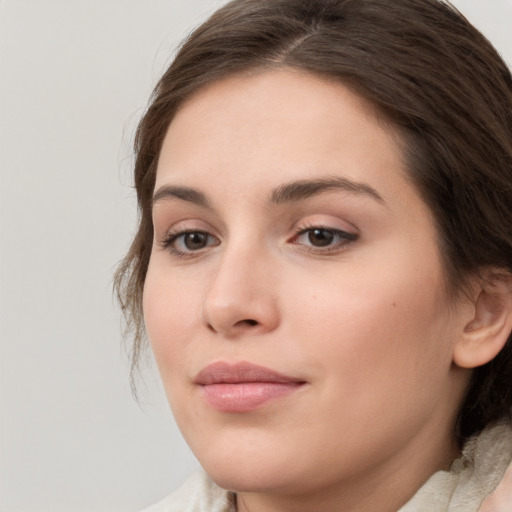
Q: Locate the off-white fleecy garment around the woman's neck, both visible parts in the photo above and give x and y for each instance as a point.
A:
(471, 485)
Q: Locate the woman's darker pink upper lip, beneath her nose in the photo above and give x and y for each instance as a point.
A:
(231, 373)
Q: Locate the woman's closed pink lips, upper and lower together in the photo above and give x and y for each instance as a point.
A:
(243, 387)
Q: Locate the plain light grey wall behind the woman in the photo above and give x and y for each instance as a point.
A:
(75, 76)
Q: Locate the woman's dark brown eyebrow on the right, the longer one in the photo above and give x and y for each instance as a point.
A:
(302, 189)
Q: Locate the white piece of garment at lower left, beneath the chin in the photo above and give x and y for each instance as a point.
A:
(198, 494)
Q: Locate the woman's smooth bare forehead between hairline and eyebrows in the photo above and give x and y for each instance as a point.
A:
(276, 126)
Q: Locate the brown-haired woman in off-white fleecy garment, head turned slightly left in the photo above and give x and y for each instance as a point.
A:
(324, 257)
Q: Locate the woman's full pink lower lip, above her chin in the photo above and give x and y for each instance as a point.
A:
(246, 396)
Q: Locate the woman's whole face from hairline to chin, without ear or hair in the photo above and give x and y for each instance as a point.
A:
(295, 300)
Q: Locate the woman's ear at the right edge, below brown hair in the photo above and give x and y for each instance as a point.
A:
(489, 323)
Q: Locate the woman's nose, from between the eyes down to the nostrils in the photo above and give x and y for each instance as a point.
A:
(241, 298)
